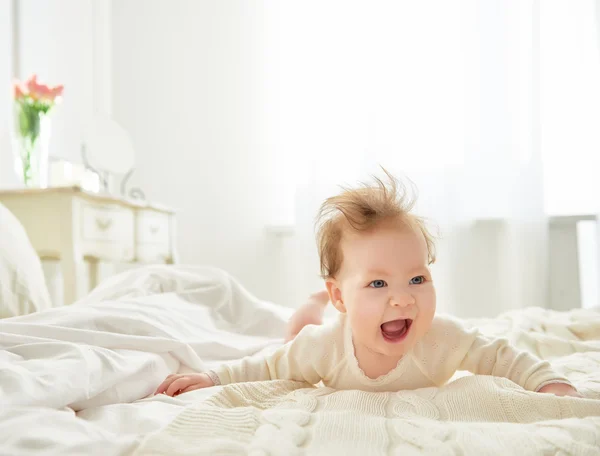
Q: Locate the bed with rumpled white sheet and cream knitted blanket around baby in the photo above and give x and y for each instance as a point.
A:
(78, 380)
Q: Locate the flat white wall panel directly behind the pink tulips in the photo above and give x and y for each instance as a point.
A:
(55, 42)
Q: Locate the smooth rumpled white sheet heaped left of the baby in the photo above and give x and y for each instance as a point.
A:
(76, 380)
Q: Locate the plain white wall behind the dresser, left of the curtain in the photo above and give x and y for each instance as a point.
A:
(187, 79)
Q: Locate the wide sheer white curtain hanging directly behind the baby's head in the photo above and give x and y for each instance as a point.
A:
(444, 93)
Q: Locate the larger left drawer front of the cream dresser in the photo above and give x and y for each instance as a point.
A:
(107, 223)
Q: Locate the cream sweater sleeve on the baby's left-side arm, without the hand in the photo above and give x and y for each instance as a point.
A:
(305, 358)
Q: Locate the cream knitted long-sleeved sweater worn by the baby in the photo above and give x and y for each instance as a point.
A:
(326, 353)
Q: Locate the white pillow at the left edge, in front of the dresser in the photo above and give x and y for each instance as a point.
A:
(22, 285)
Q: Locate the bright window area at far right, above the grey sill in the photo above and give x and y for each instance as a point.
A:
(570, 104)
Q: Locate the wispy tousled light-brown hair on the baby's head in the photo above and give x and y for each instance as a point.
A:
(361, 209)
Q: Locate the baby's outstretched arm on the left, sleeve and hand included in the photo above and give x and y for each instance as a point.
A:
(301, 359)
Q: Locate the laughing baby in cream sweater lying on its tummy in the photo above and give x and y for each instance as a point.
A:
(375, 256)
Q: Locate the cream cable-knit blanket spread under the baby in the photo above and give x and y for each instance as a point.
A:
(473, 415)
